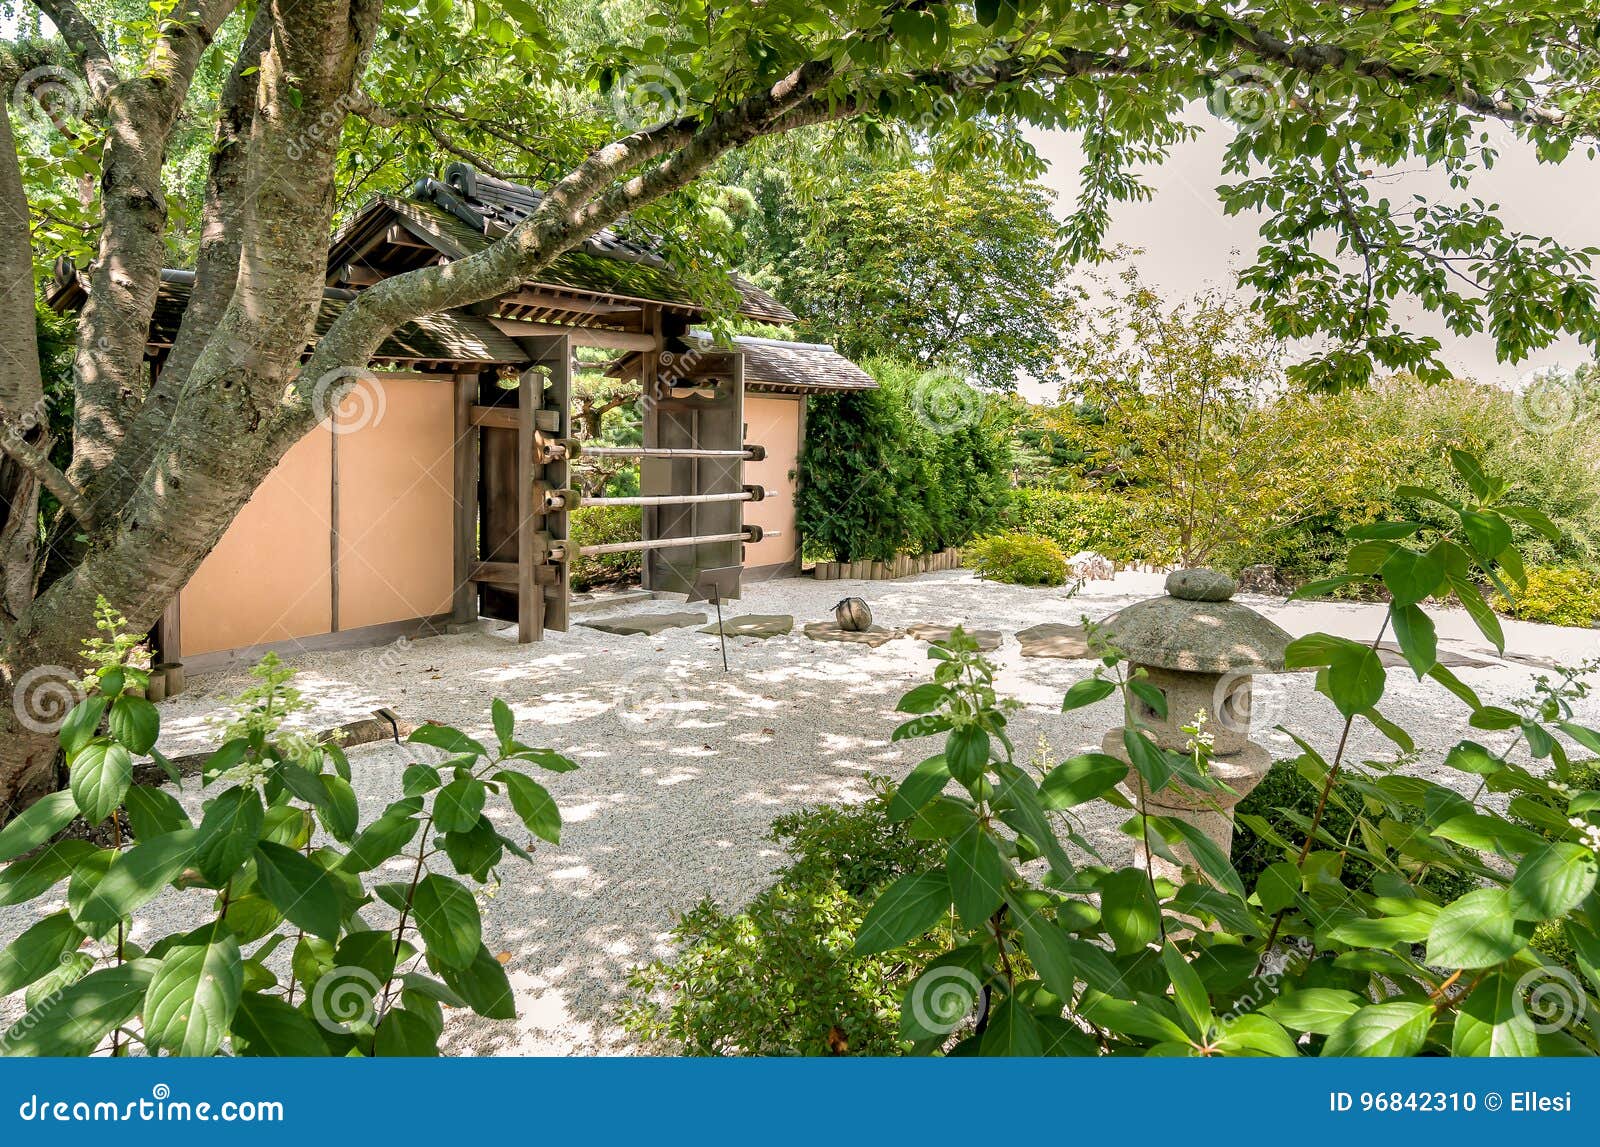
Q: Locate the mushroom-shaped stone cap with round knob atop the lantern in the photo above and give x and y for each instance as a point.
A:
(1198, 629)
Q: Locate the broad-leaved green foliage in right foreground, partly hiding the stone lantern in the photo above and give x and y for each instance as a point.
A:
(1070, 957)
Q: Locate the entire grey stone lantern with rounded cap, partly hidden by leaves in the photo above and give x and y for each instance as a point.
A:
(1201, 650)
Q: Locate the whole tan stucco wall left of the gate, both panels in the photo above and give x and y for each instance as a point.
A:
(271, 577)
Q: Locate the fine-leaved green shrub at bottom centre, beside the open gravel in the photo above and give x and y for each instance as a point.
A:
(780, 977)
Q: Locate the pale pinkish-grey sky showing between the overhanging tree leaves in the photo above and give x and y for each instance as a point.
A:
(1190, 244)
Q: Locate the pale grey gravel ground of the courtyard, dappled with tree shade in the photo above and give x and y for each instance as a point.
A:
(686, 767)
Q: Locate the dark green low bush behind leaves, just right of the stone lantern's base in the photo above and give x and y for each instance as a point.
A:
(1287, 801)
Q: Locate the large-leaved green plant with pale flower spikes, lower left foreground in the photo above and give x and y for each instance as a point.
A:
(290, 961)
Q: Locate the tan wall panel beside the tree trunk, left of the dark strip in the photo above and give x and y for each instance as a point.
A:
(270, 577)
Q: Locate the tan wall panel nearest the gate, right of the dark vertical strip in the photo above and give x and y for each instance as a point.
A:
(398, 510)
